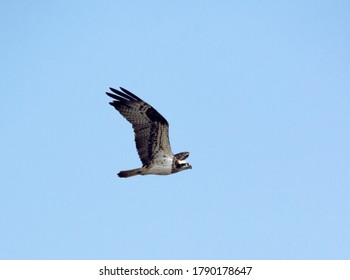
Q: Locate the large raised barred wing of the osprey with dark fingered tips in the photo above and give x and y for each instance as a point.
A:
(151, 128)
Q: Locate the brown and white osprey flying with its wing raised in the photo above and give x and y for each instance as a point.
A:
(151, 136)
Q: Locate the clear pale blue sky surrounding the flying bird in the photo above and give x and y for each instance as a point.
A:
(257, 91)
